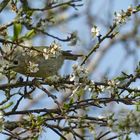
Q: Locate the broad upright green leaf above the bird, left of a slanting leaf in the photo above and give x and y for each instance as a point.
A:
(17, 30)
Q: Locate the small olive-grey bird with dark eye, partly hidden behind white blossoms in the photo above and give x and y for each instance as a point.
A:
(39, 61)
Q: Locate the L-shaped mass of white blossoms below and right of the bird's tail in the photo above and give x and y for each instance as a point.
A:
(81, 81)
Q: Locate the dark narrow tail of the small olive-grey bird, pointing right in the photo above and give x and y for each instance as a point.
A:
(68, 55)
